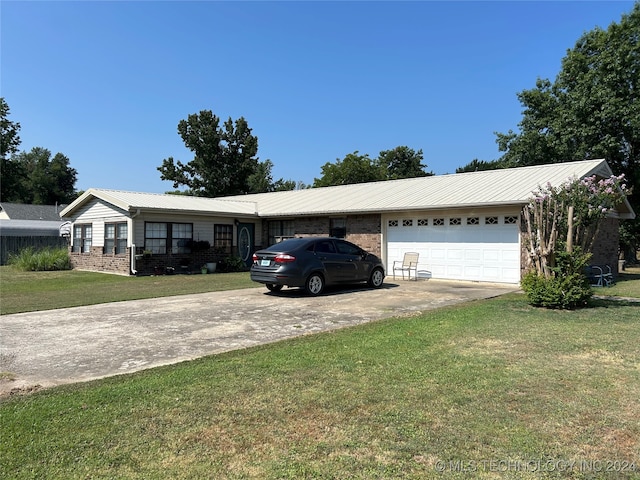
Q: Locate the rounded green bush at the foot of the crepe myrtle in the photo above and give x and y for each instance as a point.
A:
(568, 289)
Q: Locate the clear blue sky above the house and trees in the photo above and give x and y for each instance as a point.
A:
(106, 83)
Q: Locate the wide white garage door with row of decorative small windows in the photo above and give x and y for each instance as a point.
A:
(458, 248)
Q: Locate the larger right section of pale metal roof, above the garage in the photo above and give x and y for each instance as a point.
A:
(512, 186)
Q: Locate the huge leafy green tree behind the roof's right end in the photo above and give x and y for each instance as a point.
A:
(591, 110)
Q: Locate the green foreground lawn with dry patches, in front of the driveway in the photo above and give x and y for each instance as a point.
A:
(488, 389)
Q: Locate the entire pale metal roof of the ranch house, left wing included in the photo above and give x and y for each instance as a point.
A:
(512, 186)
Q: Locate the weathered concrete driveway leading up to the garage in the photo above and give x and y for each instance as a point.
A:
(43, 349)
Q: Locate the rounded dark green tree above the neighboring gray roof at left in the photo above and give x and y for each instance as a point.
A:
(43, 180)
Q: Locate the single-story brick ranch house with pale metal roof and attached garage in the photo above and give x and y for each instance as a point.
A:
(465, 226)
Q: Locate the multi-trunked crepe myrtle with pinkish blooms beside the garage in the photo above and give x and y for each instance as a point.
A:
(568, 217)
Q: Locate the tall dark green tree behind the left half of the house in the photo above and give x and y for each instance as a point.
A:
(224, 162)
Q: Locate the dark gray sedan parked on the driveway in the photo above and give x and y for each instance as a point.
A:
(313, 263)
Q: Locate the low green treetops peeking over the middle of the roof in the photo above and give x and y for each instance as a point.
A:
(401, 162)
